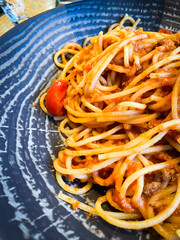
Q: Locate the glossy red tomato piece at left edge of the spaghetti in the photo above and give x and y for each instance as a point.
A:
(55, 98)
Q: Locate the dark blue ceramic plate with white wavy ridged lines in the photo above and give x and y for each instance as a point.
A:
(29, 140)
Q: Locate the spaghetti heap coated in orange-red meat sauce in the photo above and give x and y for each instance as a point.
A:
(123, 125)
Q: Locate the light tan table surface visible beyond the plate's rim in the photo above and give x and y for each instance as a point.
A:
(6, 24)
